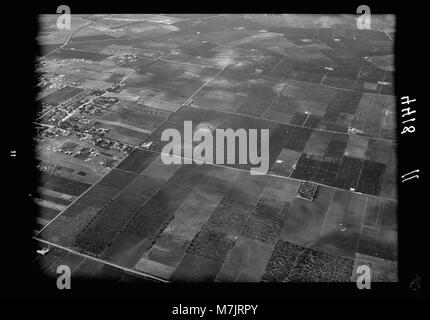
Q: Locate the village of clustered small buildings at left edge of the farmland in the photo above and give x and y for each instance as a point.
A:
(70, 118)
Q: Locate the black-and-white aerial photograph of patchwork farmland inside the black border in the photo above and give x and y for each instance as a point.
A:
(216, 148)
